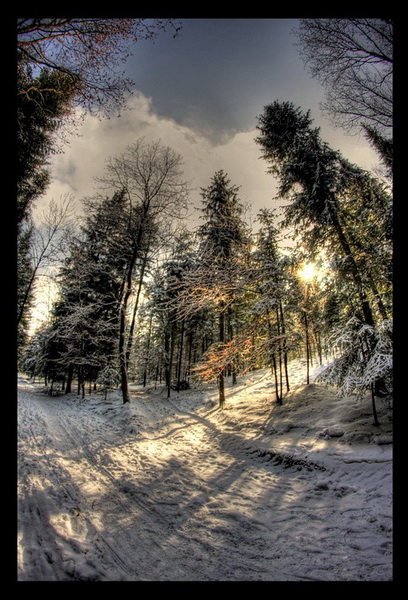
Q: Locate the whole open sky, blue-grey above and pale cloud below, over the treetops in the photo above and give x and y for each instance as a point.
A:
(201, 93)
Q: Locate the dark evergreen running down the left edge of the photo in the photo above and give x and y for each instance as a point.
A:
(42, 105)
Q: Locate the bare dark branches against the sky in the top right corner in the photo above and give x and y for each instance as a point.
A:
(353, 59)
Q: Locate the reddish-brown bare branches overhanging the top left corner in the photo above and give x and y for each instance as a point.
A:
(87, 52)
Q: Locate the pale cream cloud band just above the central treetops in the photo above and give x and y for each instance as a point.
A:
(75, 170)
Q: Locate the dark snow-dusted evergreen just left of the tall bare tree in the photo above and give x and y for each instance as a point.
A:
(85, 315)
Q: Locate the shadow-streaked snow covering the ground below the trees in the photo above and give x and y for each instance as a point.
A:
(177, 490)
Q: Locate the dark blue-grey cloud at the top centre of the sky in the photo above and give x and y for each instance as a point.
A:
(217, 76)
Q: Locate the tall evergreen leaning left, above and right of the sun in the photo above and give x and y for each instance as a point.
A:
(324, 189)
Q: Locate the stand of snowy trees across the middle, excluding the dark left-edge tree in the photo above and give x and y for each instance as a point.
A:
(235, 295)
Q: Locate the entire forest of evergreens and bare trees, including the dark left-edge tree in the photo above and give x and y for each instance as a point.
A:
(144, 297)
